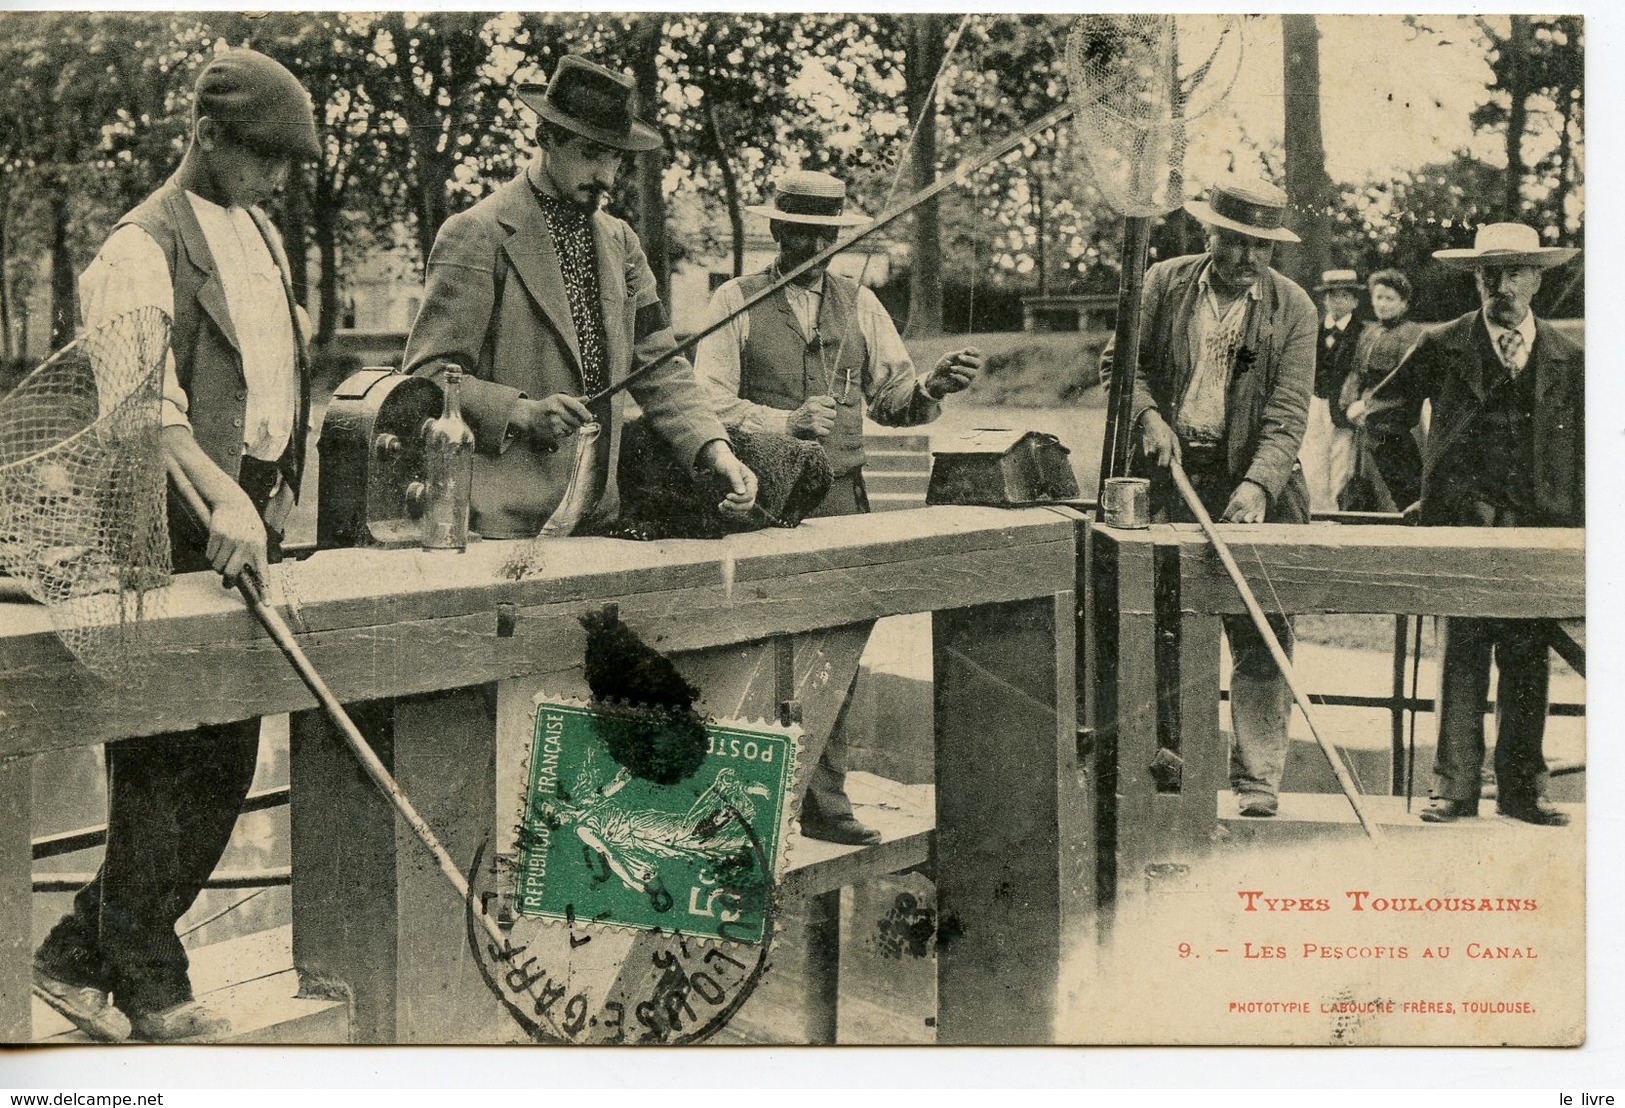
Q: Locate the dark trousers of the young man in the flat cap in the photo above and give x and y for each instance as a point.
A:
(173, 802)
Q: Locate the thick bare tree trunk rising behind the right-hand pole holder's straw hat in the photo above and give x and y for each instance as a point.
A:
(1309, 188)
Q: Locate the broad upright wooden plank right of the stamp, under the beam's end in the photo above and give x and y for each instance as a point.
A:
(1005, 753)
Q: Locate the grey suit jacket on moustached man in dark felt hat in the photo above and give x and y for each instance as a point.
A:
(496, 306)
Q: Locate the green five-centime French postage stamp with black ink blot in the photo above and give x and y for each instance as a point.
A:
(698, 857)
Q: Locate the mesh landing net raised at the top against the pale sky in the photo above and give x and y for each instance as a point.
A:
(1137, 82)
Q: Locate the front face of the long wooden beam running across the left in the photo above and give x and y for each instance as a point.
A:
(236, 673)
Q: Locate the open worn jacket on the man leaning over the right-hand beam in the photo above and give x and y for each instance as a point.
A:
(1270, 384)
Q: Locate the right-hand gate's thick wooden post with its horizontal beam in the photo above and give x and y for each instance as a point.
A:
(1155, 602)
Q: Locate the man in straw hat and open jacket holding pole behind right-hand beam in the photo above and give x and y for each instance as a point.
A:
(1224, 381)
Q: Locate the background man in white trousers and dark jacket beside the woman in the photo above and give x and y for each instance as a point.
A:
(1328, 441)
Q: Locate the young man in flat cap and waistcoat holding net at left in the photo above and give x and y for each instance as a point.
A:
(235, 412)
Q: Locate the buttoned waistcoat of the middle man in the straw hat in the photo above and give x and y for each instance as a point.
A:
(781, 368)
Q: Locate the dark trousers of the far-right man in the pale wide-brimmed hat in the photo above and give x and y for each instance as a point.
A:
(1520, 652)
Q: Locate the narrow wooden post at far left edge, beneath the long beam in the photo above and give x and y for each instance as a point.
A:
(17, 899)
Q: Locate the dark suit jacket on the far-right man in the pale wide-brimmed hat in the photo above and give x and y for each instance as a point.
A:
(1455, 366)
